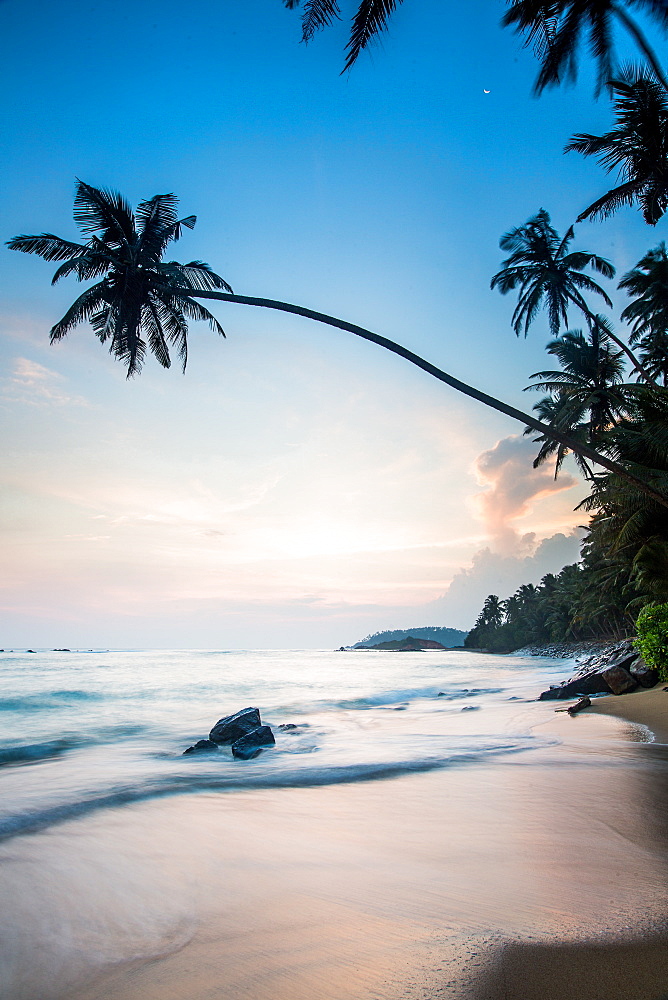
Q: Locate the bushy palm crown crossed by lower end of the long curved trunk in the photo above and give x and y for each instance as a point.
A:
(586, 398)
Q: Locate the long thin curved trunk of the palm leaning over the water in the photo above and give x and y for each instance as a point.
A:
(442, 376)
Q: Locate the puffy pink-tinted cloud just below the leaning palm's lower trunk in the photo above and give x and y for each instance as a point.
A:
(512, 485)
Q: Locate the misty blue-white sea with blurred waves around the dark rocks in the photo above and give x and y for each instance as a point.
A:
(89, 729)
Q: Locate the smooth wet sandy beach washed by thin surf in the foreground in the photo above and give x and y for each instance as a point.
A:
(540, 873)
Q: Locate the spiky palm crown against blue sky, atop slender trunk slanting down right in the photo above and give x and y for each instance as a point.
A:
(546, 274)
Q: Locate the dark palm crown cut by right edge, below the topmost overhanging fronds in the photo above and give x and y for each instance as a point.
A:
(637, 148)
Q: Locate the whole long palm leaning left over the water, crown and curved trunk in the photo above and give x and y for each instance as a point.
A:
(140, 295)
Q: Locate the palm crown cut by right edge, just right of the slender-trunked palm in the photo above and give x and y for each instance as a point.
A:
(648, 312)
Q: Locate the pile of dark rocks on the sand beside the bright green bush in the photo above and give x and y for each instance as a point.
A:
(617, 670)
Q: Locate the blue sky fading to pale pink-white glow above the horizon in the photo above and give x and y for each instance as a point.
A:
(297, 487)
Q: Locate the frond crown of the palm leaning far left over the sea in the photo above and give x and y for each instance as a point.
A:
(142, 301)
